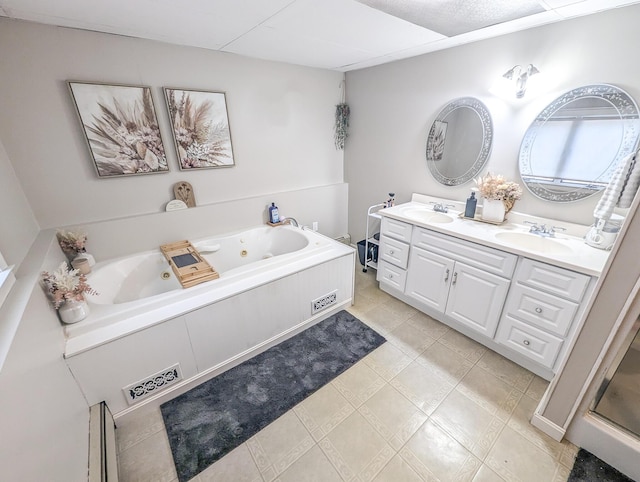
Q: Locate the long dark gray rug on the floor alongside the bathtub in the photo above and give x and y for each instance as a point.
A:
(217, 416)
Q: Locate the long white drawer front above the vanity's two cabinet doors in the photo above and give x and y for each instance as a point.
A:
(482, 257)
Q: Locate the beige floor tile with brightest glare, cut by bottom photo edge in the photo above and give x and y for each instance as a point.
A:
(434, 454)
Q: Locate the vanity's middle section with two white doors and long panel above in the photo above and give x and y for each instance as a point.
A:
(463, 280)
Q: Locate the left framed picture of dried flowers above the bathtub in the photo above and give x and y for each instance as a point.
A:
(120, 127)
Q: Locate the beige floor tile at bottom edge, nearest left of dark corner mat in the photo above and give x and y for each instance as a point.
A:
(515, 458)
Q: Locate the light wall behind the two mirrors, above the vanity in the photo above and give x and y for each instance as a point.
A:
(394, 105)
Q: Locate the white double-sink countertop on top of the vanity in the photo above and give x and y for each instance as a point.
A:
(566, 249)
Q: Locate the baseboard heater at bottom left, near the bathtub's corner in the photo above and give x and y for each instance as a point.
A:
(103, 465)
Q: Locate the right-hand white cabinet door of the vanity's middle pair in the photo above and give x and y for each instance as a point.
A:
(476, 298)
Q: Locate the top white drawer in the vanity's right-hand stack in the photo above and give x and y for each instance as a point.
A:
(558, 281)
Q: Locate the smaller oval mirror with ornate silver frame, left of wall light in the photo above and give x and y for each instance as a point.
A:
(459, 141)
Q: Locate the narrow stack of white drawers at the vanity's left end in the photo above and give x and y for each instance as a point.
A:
(393, 253)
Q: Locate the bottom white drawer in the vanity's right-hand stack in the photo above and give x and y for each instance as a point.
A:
(538, 345)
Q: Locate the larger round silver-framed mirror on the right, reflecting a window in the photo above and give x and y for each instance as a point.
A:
(573, 146)
